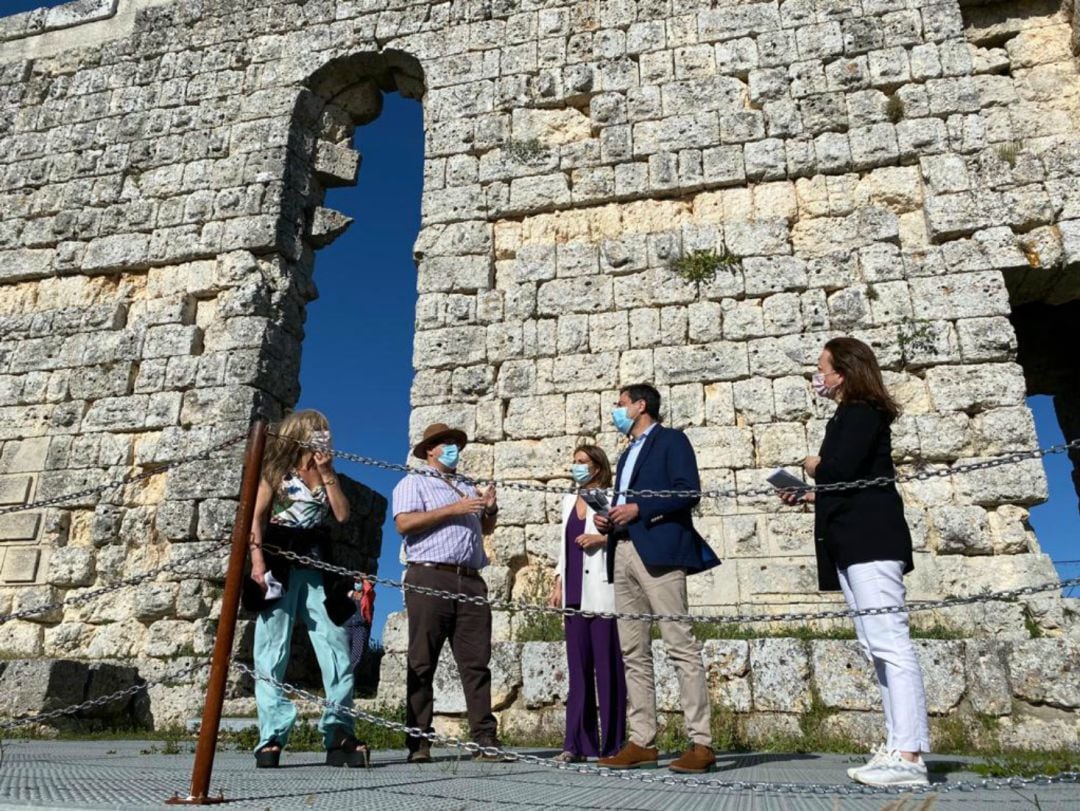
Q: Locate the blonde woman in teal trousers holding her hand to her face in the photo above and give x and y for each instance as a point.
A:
(298, 493)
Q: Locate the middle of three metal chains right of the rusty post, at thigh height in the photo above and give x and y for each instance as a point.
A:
(519, 606)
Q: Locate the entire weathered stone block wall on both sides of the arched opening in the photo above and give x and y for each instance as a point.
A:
(907, 172)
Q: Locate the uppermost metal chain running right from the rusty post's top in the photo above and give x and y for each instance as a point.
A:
(924, 476)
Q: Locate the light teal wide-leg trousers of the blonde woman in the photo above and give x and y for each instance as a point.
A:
(274, 634)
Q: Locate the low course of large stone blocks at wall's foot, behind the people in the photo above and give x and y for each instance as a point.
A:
(1018, 695)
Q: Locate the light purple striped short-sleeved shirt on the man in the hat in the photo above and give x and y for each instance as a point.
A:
(458, 540)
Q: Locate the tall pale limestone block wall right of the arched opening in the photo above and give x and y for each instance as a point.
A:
(904, 174)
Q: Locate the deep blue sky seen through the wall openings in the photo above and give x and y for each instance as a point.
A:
(359, 346)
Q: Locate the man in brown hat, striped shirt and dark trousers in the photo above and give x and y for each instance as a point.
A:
(443, 523)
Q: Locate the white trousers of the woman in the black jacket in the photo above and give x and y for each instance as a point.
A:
(887, 644)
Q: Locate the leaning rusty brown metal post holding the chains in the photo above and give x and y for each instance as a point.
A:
(227, 624)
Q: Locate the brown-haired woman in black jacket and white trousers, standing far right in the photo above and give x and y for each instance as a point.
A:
(865, 549)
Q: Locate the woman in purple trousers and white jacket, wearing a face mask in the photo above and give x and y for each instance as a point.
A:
(598, 682)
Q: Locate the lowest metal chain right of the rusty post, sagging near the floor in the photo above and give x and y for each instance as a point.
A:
(709, 783)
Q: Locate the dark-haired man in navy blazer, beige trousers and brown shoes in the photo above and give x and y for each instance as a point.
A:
(653, 547)
